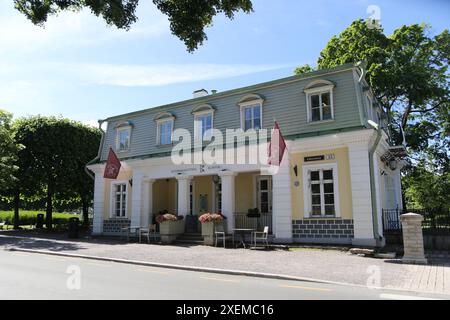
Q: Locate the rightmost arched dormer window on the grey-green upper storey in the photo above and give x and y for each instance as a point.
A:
(319, 101)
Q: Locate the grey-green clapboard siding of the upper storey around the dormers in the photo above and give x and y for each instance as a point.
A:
(285, 102)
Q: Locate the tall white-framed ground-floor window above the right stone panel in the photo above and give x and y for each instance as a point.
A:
(321, 190)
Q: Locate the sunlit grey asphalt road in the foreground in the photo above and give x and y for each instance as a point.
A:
(37, 276)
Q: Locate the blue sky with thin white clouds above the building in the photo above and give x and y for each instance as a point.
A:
(80, 68)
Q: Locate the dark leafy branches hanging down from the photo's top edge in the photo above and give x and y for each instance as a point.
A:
(188, 18)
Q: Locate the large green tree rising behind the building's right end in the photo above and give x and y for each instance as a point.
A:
(408, 72)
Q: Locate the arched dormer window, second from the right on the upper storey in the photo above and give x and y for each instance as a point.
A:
(251, 112)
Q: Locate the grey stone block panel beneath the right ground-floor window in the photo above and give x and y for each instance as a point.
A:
(323, 230)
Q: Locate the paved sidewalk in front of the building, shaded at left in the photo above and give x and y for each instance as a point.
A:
(327, 265)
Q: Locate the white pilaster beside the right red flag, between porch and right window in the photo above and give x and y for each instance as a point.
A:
(282, 202)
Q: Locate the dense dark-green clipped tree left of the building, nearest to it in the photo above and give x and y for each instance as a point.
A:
(52, 162)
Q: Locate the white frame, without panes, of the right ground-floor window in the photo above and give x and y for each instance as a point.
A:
(307, 190)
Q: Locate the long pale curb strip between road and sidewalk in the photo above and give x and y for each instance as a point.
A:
(211, 270)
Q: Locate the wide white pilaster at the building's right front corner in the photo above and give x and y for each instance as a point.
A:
(361, 194)
